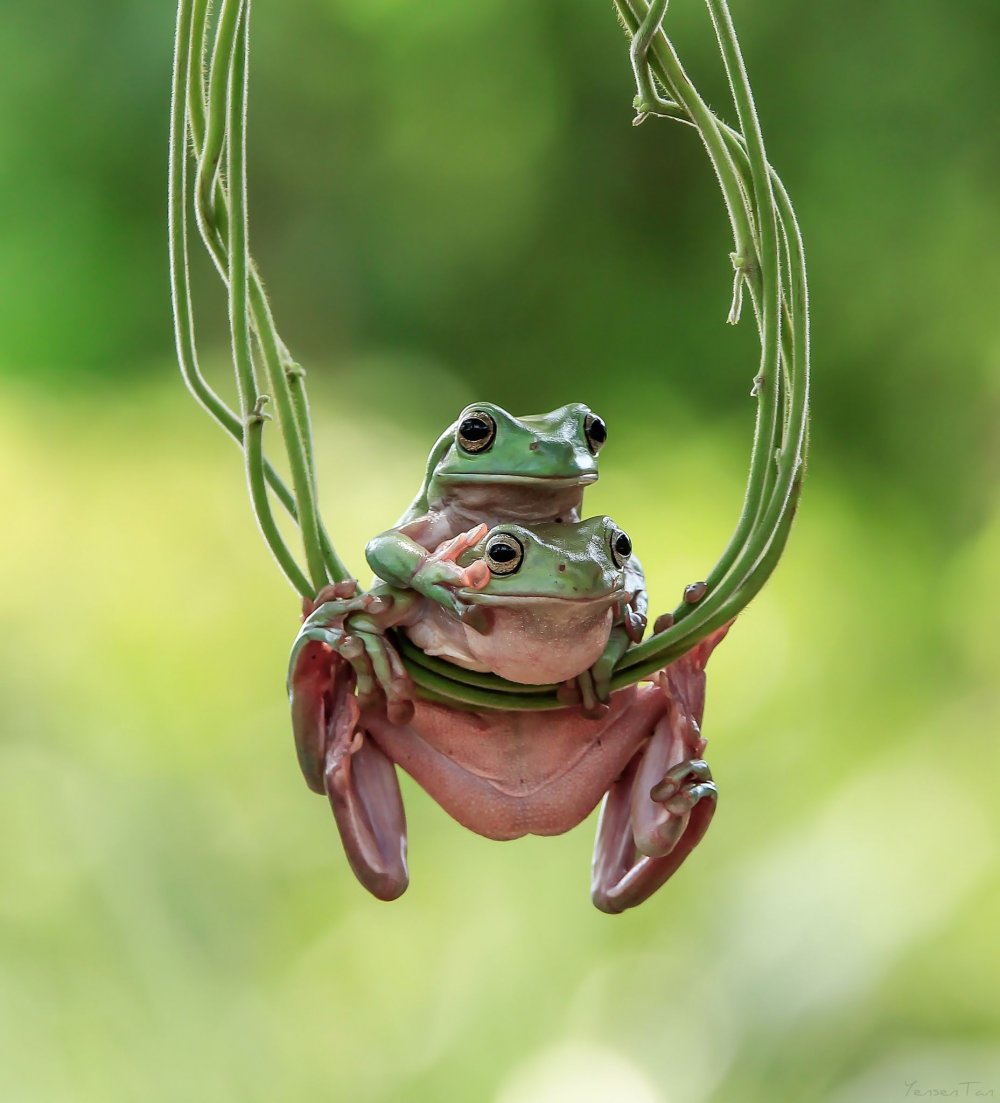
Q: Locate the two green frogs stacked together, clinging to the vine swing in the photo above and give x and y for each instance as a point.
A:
(493, 570)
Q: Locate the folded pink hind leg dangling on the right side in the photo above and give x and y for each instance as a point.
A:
(659, 811)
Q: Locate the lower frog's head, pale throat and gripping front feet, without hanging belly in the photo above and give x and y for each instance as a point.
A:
(543, 604)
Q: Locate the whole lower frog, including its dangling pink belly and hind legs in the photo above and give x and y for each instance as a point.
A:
(551, 597)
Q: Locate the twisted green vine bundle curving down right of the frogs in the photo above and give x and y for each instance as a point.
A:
(780, 440)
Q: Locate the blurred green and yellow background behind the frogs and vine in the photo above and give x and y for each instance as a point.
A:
(449, 204)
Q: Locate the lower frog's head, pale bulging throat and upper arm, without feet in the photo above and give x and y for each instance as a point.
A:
(550, 597)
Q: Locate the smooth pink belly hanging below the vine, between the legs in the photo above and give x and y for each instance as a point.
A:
(508, 775)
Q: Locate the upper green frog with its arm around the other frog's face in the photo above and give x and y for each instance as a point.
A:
(490, 468)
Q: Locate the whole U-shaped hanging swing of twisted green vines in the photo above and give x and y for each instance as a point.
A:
(209, 121)
